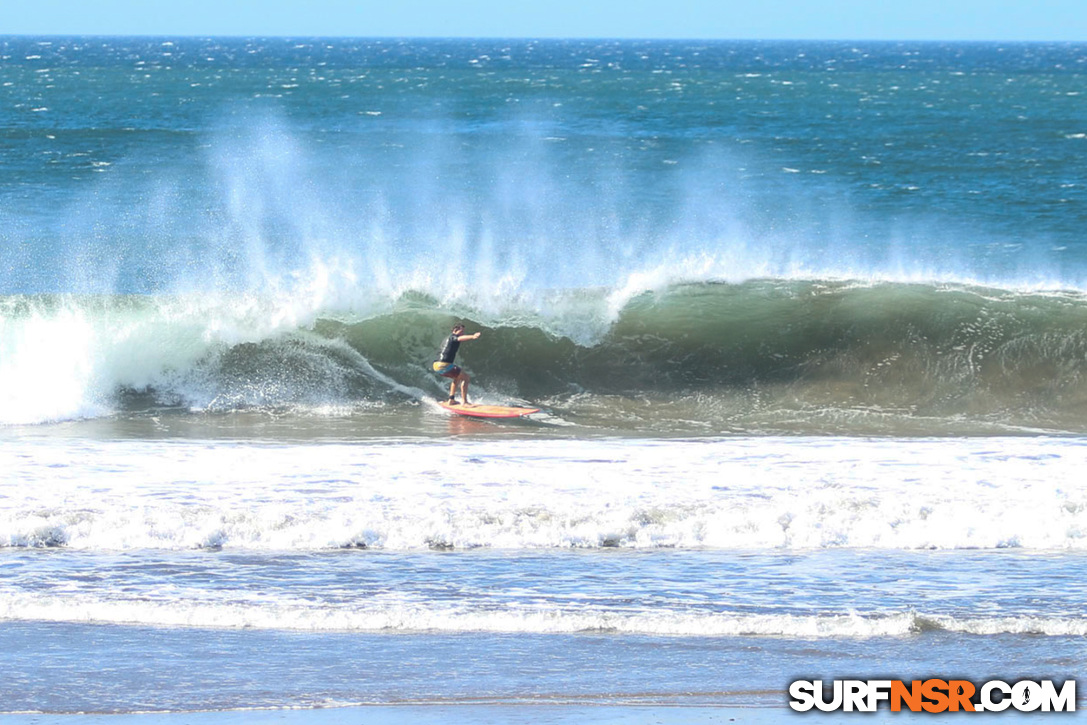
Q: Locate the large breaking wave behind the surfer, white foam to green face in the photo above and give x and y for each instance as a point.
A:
(708, 358)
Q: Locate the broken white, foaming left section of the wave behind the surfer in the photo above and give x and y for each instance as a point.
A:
(66, 358)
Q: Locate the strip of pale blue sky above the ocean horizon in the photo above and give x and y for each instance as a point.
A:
(854, 20)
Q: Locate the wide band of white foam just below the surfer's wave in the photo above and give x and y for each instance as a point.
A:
(740, 494)
